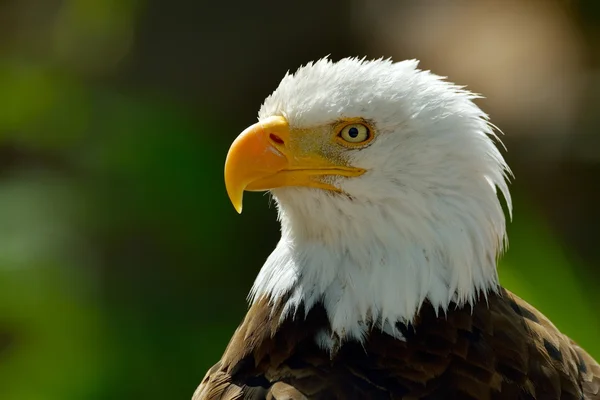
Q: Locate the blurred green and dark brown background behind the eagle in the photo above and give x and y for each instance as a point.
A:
(123, 267)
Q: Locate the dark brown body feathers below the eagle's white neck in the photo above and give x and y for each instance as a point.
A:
(501, 348)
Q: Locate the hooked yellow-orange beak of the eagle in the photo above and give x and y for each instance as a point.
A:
(268, 155)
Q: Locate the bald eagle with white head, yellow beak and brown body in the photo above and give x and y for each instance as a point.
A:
(384, 282)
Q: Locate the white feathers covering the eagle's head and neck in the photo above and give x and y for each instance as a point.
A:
(423, 223)
